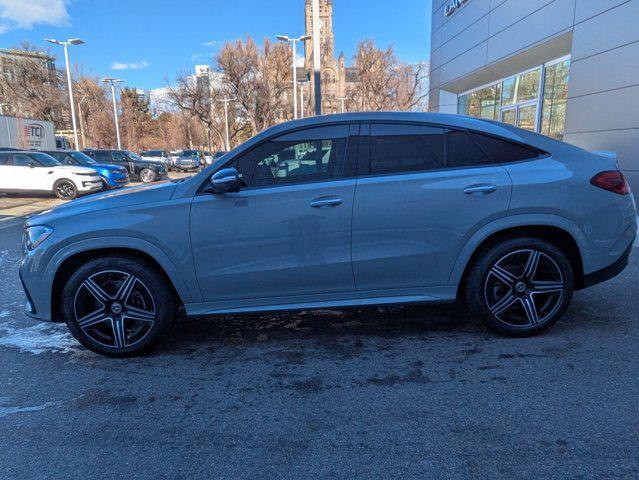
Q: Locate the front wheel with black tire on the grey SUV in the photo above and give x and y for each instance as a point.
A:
(138, 332)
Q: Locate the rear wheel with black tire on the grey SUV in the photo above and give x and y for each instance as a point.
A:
(504, 297)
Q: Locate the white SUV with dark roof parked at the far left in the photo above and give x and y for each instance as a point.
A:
(36, 172)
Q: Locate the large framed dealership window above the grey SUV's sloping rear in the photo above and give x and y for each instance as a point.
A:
(534, 100)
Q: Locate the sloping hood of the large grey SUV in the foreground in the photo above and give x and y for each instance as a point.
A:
(125, 197)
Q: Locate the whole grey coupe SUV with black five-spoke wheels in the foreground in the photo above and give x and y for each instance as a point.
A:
(355, 209)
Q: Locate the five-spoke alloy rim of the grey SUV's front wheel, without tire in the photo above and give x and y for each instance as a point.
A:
(114, 308)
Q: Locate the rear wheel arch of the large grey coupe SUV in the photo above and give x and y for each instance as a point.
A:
(565, 237)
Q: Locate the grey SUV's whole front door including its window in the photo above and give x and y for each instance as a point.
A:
(288, 232)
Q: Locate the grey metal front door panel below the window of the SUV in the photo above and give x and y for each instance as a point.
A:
(273, 242)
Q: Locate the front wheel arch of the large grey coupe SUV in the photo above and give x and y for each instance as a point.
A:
(70, 262)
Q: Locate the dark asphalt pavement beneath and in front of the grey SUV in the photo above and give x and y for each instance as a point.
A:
(400, 392)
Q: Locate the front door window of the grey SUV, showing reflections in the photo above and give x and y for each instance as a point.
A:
(307, 156)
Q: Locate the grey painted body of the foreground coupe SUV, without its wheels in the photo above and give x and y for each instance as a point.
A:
(362, 237)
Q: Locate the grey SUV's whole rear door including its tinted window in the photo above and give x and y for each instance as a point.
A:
(408, 228)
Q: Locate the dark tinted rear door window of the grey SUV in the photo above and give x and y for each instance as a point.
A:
(405, 148)
